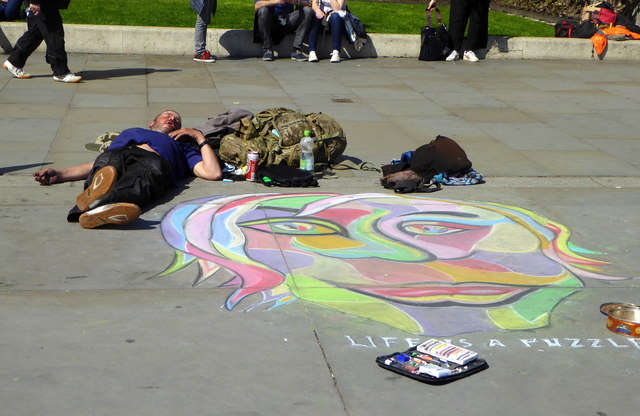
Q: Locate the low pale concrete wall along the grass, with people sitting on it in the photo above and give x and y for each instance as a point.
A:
(238, 43)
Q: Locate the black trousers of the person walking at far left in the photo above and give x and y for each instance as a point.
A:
(47, 26)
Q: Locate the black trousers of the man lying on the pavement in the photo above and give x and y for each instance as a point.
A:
(142, 177)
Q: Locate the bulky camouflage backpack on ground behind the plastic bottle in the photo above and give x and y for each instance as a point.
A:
(275, 134)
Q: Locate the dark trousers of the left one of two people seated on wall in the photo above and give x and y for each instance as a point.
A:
(298, 21)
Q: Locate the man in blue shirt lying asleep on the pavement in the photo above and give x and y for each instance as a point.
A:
(139, 166)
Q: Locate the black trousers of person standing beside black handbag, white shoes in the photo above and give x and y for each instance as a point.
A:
(476, 13)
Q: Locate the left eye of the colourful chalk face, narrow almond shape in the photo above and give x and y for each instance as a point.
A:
(294, 226)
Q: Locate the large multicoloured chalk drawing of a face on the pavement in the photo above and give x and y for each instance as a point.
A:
(424, 265)
